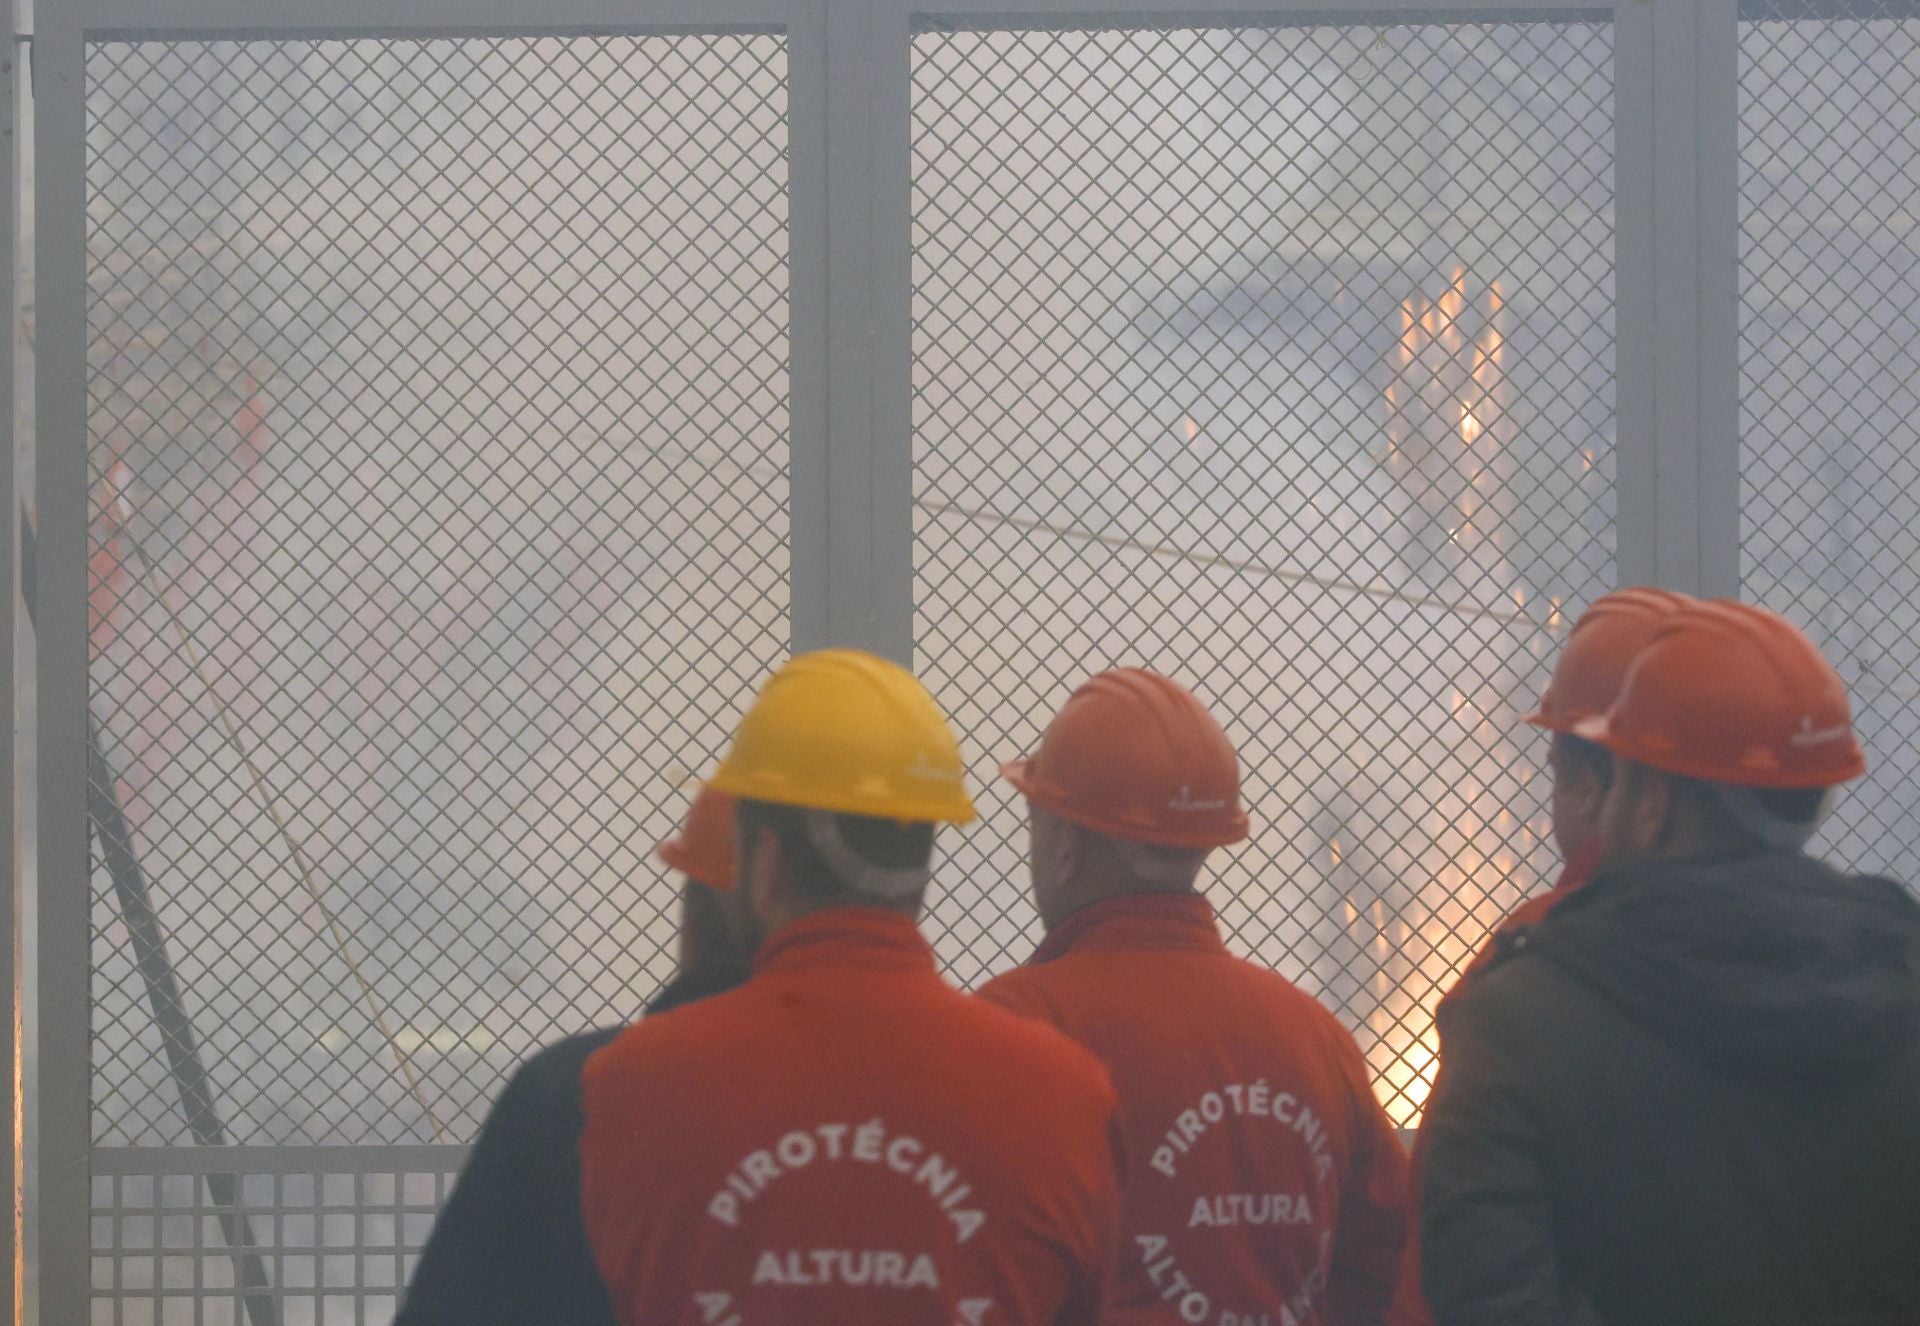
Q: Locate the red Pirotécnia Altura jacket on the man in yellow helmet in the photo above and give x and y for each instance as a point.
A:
(848, 1141)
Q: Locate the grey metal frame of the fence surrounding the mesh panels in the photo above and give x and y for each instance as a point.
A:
(852, 448)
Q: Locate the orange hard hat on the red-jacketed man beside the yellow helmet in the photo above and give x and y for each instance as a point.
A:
(1136, 757)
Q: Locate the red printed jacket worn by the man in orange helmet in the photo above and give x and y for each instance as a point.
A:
(1264, 1183)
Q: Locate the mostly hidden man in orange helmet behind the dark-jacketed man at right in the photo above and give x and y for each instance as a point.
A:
(1587, 680)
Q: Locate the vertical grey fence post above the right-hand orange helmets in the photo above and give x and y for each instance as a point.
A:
(1677, 295)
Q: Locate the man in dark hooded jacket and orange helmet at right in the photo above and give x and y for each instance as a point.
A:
(1692, 1093)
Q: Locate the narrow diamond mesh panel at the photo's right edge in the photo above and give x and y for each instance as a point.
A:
(1831, 379)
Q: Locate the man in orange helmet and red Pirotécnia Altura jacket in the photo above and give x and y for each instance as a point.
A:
(1264, 1181)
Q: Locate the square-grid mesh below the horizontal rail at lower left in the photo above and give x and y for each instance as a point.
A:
(322, 1248)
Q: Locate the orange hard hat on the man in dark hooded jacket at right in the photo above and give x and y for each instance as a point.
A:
(1733, 694)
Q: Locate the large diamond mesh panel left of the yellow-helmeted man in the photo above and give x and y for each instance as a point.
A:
(439, 431)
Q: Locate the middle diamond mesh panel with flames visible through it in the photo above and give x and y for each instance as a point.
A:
(1282, 362)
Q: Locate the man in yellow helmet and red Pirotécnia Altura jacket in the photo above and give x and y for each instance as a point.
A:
(846, 1139)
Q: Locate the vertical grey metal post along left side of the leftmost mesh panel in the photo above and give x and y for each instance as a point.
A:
(60, 671)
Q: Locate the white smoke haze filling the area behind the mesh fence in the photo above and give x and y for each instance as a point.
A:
(439, 417)
